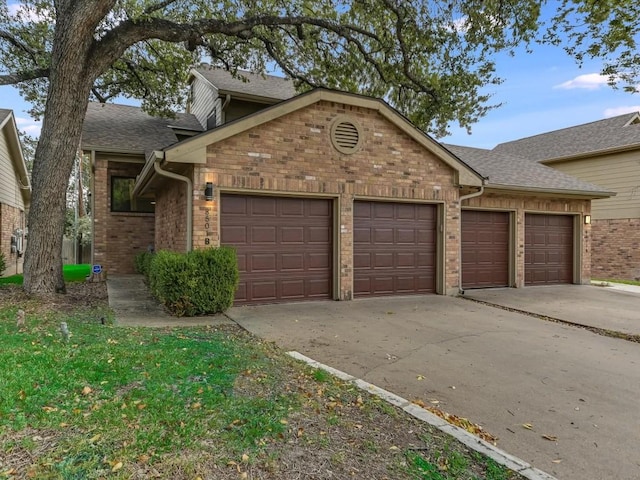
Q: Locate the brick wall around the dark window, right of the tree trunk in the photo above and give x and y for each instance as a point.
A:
(118, 237)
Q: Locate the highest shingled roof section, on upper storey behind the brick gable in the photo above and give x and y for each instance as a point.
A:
(268, 87)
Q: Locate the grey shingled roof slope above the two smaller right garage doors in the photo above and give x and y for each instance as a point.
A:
(507, 171)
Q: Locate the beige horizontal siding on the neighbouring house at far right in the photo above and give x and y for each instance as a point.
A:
(619, 173)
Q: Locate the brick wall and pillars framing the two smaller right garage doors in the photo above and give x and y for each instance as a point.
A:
(522, 204)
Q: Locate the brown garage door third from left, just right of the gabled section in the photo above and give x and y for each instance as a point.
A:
(485, 249)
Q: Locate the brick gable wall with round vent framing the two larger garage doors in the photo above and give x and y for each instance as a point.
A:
(294, 154)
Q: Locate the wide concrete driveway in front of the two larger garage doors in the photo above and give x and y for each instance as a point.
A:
(498, 368)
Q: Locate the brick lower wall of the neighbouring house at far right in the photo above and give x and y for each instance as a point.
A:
(616, 249)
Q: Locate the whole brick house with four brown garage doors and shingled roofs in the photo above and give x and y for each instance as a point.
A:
(328, 195)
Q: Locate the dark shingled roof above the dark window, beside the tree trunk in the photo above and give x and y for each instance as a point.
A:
(109, 126)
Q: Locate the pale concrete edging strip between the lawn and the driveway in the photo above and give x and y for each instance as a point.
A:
(471, 441)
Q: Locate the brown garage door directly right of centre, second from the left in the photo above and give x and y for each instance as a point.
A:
(394, 248)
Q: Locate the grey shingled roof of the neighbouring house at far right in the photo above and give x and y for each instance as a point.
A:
(602, 135)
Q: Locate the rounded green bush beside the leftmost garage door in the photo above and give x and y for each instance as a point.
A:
(196, 283)
